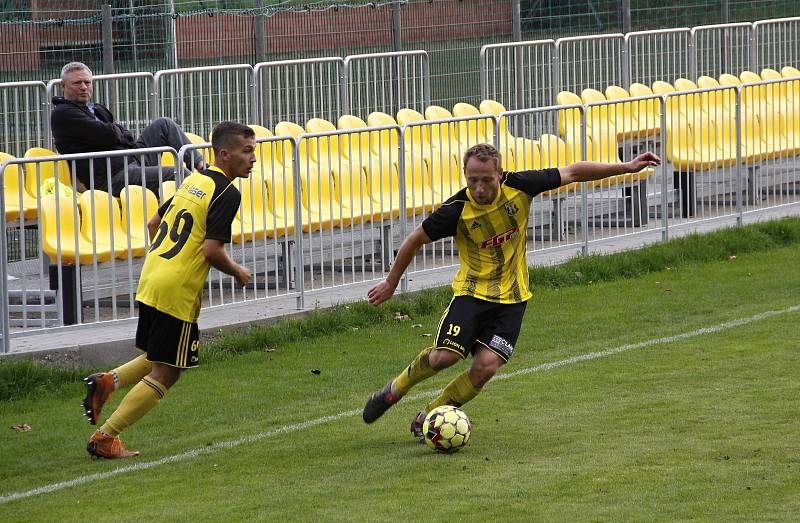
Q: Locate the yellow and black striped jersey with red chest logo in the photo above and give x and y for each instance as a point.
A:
(491, 238)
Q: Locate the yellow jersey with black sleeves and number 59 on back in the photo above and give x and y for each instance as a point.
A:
(175, 269)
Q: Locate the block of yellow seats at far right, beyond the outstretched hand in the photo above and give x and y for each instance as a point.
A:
(701, 127)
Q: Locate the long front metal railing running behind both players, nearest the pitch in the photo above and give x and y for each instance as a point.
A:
(719, 161)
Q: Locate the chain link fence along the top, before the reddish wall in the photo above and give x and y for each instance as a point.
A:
(145, 35)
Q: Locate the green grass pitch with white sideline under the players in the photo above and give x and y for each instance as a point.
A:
(702, 426)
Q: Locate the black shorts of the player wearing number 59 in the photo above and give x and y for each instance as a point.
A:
(166, 339)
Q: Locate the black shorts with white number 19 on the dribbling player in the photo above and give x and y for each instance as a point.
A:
(469, 321)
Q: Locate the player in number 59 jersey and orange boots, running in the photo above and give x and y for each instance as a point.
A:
(188, 236)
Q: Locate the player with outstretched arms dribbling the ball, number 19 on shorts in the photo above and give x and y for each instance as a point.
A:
(488, 219)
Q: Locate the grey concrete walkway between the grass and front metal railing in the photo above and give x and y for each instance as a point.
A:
(108, 344)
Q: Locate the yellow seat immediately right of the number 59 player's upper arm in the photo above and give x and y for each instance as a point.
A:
(254, 220)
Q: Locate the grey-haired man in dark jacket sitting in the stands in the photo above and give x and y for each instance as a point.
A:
(80, 126)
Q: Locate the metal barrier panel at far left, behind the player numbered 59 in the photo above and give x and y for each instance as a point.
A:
(89, 250)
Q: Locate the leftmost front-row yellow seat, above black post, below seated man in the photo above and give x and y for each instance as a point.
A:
(59, 235)
